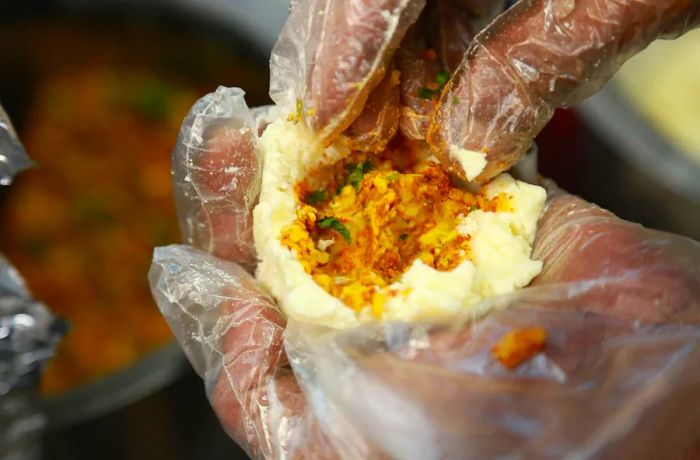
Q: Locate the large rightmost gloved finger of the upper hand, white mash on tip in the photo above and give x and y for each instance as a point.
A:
(539, 55)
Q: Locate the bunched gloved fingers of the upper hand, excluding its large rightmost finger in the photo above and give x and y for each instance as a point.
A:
(333, 54)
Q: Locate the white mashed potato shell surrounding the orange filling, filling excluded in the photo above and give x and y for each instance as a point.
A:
(497, 260)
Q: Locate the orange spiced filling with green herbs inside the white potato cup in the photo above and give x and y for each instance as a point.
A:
(364, 220)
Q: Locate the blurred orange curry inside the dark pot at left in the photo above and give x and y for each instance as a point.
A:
(100, 109)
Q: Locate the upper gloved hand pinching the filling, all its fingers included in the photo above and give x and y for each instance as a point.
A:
(539, 55)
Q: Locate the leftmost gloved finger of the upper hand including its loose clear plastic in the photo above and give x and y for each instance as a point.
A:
(332, 53)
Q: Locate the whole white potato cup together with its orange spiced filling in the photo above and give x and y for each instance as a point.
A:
(345, 237)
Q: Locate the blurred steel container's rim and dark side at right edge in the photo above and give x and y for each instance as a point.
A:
(655, 182)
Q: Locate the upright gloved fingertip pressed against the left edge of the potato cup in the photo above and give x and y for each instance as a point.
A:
(216, 175)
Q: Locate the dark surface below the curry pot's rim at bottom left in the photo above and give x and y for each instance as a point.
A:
(175, 423)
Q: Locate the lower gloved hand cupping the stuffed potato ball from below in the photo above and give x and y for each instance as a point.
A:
(620, 305)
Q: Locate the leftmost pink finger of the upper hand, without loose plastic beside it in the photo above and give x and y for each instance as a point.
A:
(355, 42)
